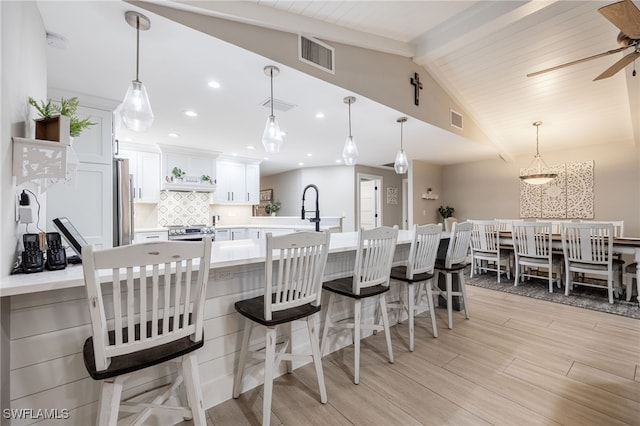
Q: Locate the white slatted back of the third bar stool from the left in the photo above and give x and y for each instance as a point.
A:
(374, 257)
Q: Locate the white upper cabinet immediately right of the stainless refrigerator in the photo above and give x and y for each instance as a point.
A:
(145, 168)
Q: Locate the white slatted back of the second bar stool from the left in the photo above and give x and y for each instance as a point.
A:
(297, 280)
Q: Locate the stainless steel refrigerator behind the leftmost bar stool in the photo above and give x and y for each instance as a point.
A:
(122, 203)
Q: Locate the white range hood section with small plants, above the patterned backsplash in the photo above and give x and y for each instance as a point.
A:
(188, 169)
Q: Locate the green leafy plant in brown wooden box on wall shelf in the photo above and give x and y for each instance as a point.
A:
(59, 122)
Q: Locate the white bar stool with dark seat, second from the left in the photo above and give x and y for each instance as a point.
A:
(294, 267)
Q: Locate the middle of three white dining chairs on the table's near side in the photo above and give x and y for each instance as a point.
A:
(532, 248)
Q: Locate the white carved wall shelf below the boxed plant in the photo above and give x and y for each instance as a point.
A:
(35, 159)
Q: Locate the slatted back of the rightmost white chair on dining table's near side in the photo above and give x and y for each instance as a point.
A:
(588, 242)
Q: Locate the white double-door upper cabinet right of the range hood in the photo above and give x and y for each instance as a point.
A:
(238, 181)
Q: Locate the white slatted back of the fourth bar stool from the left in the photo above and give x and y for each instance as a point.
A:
(424, 249)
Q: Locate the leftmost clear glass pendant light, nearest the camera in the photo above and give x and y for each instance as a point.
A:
(136, 109)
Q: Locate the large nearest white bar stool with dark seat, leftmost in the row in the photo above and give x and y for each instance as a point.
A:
(152, 311)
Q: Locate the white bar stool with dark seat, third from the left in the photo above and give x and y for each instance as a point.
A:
(370, 279)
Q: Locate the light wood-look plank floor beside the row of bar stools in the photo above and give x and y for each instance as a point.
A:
(517, 361)
